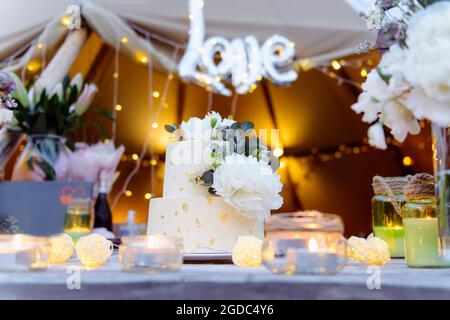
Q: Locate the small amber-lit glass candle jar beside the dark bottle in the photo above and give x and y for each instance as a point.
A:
(79, 219)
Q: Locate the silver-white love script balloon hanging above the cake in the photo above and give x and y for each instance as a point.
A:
(209, 63)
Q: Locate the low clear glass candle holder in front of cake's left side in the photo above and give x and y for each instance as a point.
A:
(151, 254)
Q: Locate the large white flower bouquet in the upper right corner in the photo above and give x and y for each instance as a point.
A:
(412, 81)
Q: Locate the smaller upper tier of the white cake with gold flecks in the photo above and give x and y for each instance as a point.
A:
(185, 160)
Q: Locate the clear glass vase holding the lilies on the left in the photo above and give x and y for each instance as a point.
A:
(38, 161)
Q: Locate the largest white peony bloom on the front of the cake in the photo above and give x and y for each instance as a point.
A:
(249, 185)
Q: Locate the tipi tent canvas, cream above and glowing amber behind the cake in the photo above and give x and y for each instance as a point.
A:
(313, 114)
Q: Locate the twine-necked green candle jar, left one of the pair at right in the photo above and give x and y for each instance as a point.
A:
(387, 212)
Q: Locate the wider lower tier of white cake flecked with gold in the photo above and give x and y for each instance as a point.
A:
(204, 222)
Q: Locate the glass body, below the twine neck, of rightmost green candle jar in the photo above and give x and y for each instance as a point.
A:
(420, 225)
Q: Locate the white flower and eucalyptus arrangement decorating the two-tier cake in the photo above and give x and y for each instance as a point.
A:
(242, 172)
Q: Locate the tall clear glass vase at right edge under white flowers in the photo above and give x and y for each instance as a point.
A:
(441, 159)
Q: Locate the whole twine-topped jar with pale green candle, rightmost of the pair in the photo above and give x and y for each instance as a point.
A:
(420, 224)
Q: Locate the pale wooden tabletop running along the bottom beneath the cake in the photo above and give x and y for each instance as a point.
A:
(204, 282)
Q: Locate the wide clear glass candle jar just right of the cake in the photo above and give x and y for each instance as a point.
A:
(304, 243)
